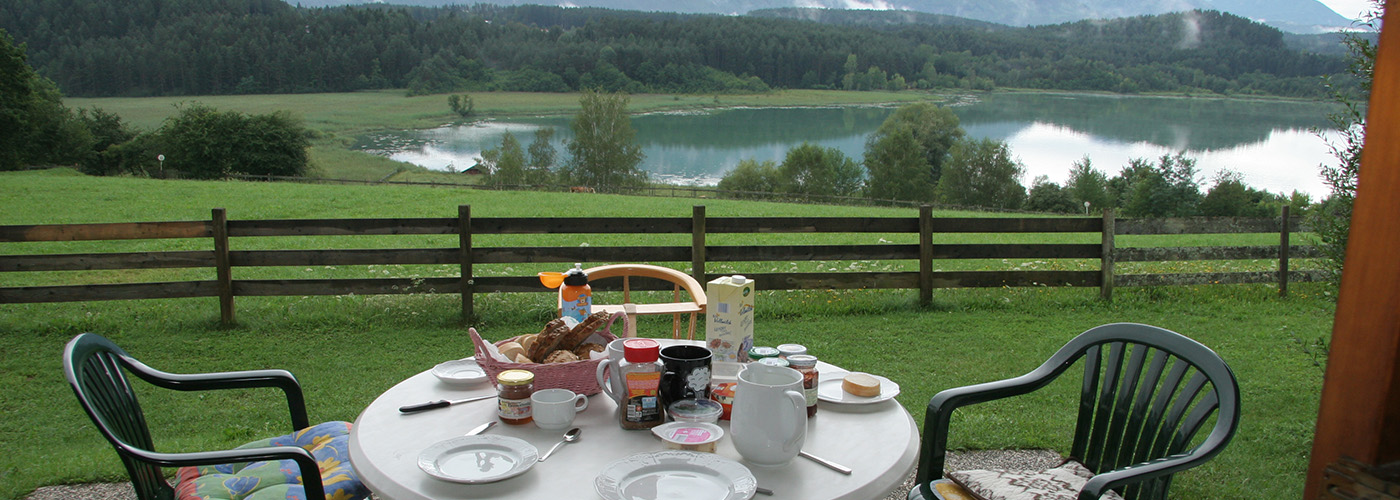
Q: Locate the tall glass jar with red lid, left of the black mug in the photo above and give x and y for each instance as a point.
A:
(640, 372)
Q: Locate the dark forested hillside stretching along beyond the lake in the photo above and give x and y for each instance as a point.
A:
(136, 48)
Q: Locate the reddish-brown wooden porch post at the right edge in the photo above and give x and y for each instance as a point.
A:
(1360, 411)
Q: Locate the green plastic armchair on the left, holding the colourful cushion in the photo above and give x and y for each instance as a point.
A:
(97, 369)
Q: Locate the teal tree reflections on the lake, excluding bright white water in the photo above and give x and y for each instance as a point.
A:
(1178, 124)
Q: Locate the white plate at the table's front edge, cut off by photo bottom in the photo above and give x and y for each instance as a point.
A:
(675, 475)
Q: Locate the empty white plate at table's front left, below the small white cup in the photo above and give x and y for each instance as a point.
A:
(478, 459)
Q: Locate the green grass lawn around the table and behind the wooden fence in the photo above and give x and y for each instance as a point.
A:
(346, 351)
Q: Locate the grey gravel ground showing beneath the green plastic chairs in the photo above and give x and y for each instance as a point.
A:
(974, 460)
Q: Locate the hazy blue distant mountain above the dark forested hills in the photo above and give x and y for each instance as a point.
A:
(1291, 16)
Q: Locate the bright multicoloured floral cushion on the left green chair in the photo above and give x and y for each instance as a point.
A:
(279, 480)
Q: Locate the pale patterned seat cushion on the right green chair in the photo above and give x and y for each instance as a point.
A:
(1063, 482)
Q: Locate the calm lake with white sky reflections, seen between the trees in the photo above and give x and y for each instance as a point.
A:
(1272, 144)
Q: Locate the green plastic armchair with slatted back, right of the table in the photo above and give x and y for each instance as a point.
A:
(1147, 391)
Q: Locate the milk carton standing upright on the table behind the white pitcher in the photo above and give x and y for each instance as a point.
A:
(729, 328)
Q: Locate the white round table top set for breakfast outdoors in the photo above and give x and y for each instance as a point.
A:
(878, 442)
